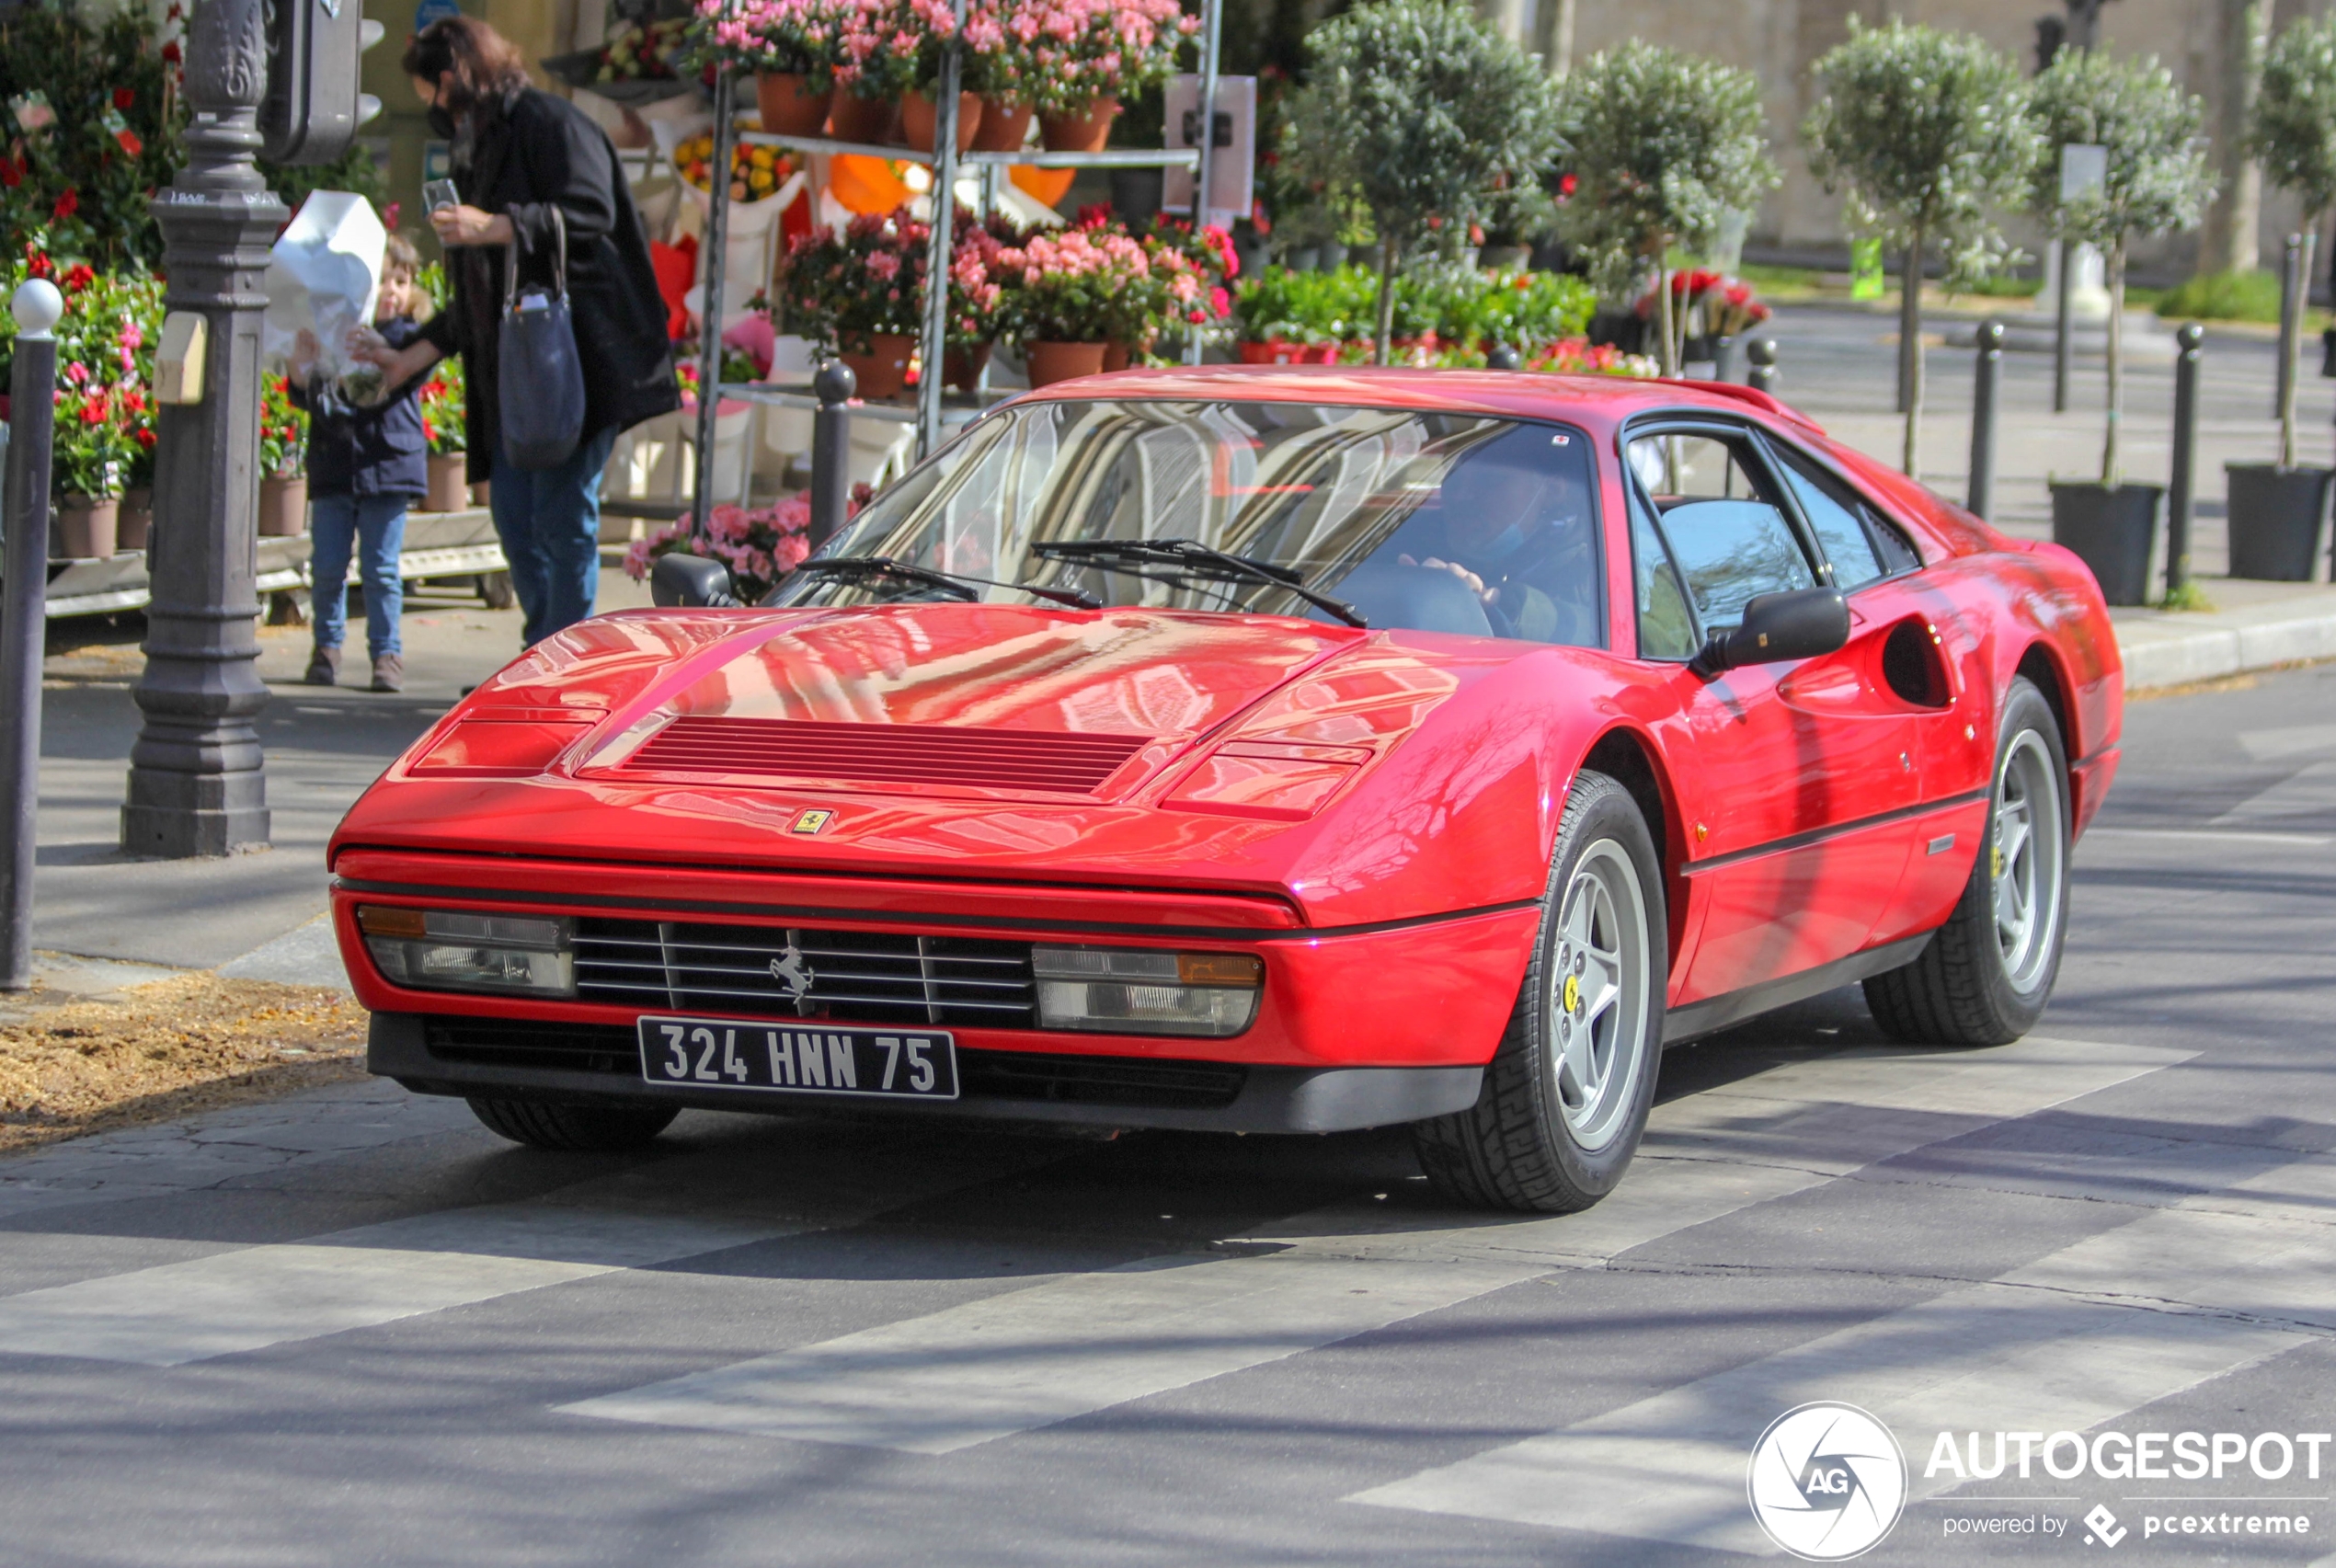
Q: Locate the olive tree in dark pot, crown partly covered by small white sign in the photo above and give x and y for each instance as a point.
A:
(2160, 181)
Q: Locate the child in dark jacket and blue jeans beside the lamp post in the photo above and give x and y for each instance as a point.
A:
(366, 466)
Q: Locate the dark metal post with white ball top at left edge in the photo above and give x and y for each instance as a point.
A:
(25, 613)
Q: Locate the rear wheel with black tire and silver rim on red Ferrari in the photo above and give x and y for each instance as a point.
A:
(1966, 987)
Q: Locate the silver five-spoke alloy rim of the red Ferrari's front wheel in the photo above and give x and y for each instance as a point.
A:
(1599, 994)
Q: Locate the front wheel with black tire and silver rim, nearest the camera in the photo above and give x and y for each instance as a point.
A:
(1524, 1146)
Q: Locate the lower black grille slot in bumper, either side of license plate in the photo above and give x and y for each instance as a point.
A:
(996, 1076)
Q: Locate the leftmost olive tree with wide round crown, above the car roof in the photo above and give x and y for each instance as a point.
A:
(1421, 113)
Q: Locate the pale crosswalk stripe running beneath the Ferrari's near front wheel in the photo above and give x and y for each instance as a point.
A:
(1078, 1345)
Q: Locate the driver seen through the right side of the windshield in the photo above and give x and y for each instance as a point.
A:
(1522, 539)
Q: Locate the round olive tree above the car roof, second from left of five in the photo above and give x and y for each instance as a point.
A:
(1662, 146)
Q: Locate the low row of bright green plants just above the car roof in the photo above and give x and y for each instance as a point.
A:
(1466, 310)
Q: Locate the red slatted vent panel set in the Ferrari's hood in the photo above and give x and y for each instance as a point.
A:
(887, 754)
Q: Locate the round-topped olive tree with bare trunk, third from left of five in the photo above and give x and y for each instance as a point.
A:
(1926, 134)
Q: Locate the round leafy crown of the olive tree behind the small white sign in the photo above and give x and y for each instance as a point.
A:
(2160, 179)
